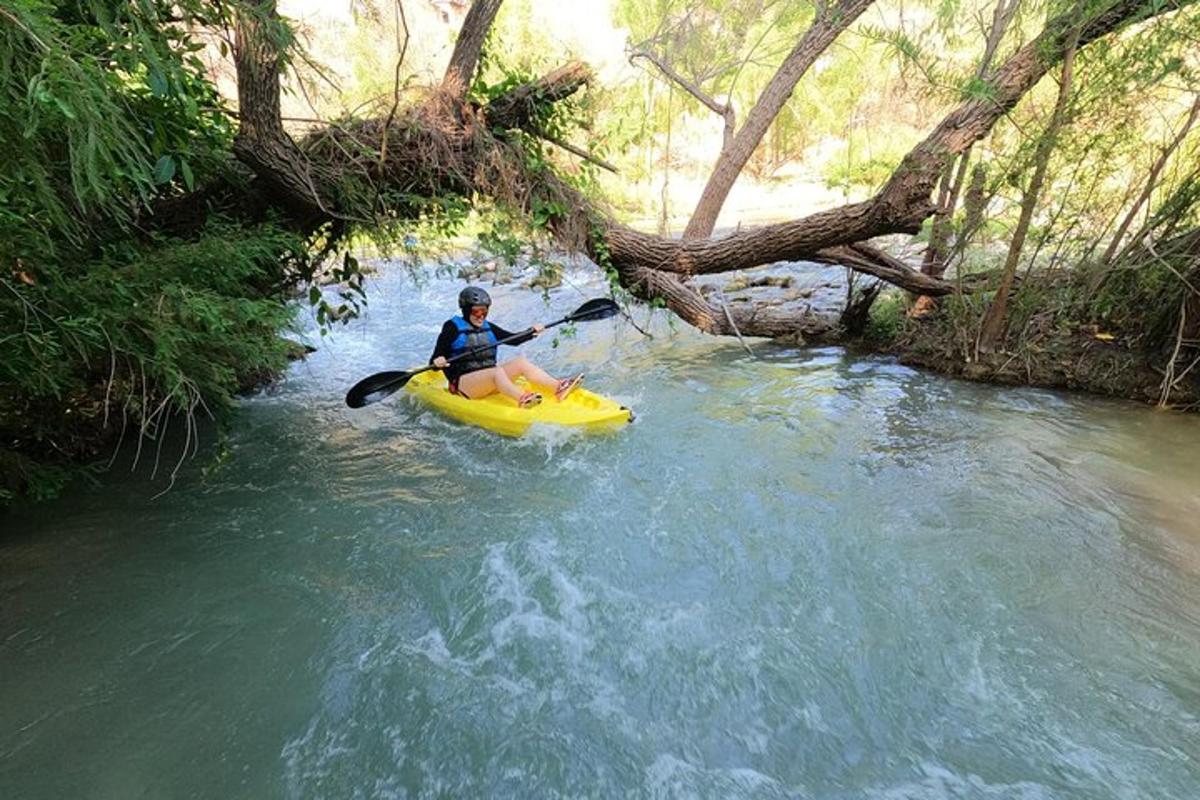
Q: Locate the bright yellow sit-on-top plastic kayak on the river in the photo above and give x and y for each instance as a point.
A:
(501, 414)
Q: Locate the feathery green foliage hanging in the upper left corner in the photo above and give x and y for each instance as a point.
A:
(104, 107)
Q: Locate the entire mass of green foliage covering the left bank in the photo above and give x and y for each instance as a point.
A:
(105, 110)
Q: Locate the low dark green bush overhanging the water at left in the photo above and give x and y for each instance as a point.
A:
(141, 333)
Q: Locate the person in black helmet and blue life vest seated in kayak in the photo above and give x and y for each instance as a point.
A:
(479, 376)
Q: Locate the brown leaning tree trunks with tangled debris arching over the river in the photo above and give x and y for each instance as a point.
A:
(451, 143)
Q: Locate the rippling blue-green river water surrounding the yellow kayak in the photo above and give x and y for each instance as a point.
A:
(806, 575)
